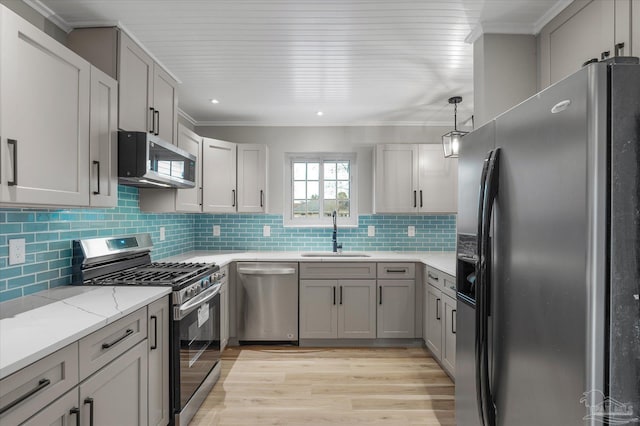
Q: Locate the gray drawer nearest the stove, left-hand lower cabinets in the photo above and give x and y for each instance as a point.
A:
(106, 344)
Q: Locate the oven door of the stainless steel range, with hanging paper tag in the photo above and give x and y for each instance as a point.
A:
(196, 328)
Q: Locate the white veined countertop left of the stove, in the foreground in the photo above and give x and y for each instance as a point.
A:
(37, 325)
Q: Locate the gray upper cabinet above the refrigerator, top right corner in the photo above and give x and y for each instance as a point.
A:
(585, 30)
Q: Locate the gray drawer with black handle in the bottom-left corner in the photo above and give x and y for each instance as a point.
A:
(26, 391)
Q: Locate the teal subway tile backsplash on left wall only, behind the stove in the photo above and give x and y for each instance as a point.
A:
(49, 233)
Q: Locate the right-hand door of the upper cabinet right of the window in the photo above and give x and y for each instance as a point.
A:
(438, 180)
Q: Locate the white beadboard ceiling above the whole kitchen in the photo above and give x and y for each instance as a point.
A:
(279, 62)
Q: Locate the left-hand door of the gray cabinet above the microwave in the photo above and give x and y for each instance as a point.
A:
(135, 78)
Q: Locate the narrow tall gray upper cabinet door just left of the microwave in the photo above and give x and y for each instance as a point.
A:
(103, 140)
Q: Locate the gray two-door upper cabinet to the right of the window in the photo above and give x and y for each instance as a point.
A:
(412, 178)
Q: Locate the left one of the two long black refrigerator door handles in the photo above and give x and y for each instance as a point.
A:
(478, 256)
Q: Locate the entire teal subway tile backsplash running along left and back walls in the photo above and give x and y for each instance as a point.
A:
(49, 233)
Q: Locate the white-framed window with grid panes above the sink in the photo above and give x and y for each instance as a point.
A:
(318, 185)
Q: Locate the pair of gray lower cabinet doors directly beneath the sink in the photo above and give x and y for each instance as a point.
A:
(343, 309)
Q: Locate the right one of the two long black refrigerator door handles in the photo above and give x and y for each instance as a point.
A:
(491, 192)
